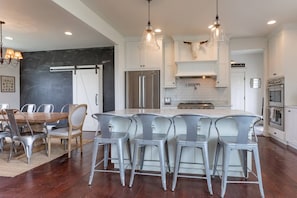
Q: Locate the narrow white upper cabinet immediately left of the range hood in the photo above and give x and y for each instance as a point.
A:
(169, 65)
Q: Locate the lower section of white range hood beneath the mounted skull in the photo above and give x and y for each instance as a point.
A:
(196, 68)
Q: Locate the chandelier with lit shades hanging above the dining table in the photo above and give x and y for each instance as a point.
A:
(11, 56)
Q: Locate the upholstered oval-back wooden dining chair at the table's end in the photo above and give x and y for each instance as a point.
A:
(76, 120)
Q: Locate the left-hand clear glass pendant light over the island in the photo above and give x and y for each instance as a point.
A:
(148, 40)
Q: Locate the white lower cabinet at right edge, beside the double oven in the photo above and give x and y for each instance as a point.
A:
(291, 126)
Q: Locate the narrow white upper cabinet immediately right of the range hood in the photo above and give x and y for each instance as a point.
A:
(223, 65)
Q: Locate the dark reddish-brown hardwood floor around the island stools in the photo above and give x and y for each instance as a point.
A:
(65, 177)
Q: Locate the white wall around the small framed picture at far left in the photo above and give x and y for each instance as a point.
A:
(13, 99)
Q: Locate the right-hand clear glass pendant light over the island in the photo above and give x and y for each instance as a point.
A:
(217, 33)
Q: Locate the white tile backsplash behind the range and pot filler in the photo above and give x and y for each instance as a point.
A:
(197, 89)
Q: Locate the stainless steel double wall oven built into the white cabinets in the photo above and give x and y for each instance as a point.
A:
(276, 102)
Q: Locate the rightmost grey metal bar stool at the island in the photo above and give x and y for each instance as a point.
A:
(236, 133)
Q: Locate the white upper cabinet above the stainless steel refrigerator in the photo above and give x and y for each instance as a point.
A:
(138, 58)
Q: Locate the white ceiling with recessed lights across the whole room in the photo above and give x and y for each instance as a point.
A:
(39, 25)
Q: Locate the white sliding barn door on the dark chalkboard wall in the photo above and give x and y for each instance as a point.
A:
(87, 89)
